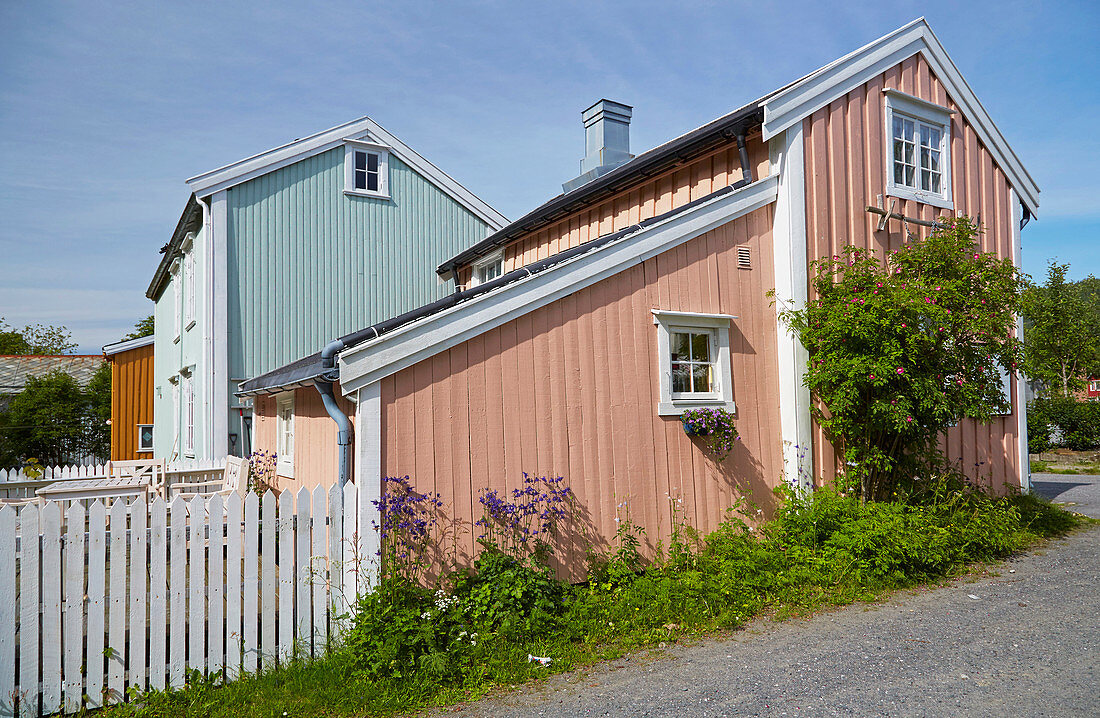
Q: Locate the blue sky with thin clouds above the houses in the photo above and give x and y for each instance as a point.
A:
(107, 108)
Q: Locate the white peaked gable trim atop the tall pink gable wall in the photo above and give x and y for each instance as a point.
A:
(839, 79)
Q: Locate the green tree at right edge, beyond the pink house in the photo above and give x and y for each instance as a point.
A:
(1063, 330)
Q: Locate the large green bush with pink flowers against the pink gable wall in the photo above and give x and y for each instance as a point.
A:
(904, 348)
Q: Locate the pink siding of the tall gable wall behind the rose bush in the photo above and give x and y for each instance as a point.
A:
(848, 159)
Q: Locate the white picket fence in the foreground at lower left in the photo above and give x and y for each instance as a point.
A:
(96, 602)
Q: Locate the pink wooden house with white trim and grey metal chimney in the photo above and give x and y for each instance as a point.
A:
(554, 355)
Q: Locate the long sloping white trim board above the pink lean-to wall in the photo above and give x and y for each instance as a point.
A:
(367, 363)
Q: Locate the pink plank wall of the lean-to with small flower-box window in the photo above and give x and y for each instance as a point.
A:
(571, 390)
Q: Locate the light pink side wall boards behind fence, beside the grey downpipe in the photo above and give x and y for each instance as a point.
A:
(315, 438)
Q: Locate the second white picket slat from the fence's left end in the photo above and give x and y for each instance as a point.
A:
(29, 611)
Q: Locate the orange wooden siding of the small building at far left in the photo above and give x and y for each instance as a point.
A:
(131, 401)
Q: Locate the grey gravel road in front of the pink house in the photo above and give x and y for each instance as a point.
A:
(1026, 643)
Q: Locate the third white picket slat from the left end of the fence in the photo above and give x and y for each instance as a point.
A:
(52, 559)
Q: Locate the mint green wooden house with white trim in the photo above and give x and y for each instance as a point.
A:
(278, 255)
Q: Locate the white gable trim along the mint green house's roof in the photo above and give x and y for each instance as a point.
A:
(364, 129)
